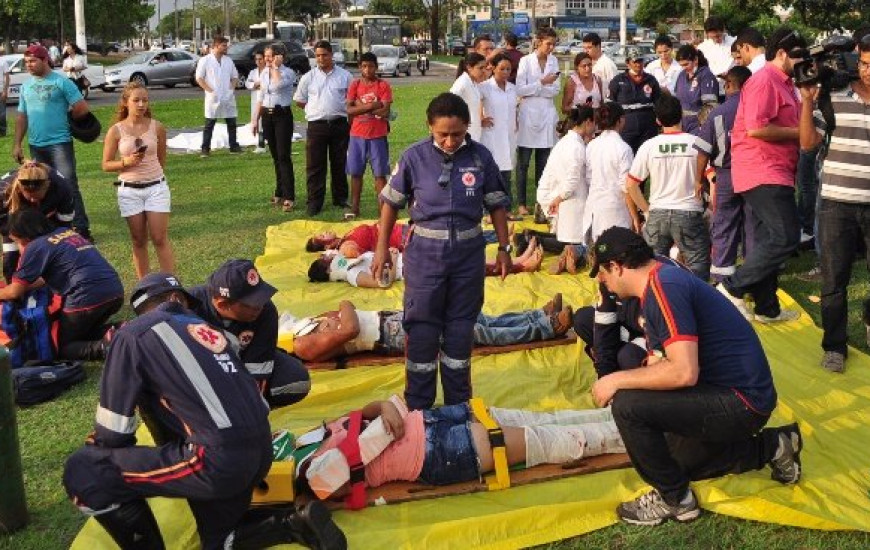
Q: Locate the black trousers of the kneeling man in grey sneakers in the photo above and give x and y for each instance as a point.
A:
(673, 437)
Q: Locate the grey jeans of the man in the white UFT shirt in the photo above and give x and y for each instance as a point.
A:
(687, 230)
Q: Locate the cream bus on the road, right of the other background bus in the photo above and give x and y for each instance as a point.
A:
(356, 34)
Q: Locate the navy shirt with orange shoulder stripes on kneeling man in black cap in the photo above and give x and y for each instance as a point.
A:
(677, 306)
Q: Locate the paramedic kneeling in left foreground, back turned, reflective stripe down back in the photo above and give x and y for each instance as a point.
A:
(186, 376)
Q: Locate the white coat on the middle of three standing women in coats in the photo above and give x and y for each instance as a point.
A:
(501, 137)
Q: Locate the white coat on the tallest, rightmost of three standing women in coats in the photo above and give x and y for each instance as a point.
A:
(537, 114)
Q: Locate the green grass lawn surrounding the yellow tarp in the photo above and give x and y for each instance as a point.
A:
(221, 210)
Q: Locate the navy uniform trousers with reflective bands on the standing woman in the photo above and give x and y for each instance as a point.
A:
(443, 297)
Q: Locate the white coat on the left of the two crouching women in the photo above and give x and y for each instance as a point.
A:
(565, 176)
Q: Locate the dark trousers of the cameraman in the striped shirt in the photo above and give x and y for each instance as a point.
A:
(841, 226)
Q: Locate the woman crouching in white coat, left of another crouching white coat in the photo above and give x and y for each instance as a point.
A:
(563, 189)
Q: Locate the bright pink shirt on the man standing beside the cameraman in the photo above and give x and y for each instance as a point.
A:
(767, 98)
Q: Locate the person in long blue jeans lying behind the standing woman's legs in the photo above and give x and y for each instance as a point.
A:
(349, 330)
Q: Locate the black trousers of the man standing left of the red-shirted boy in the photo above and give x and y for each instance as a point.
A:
(326, 138)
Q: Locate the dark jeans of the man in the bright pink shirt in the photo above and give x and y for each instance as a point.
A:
(777, 233)
